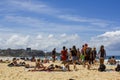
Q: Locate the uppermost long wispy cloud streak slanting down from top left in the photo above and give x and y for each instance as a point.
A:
(40, 7)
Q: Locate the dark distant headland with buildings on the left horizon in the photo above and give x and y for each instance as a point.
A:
(21, 52)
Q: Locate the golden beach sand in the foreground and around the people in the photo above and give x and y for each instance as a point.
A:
(21, 73)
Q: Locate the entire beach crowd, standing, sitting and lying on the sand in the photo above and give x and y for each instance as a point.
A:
(86, 56)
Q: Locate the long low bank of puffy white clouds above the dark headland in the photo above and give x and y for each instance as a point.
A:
(48, 42)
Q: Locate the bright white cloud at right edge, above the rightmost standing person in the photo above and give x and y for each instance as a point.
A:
(110, 39)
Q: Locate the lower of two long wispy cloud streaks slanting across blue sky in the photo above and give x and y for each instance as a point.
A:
(48, 26)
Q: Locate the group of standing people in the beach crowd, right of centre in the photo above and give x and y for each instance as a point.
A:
(86, 55)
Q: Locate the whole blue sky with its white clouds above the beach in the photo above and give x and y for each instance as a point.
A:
(45, 24)
